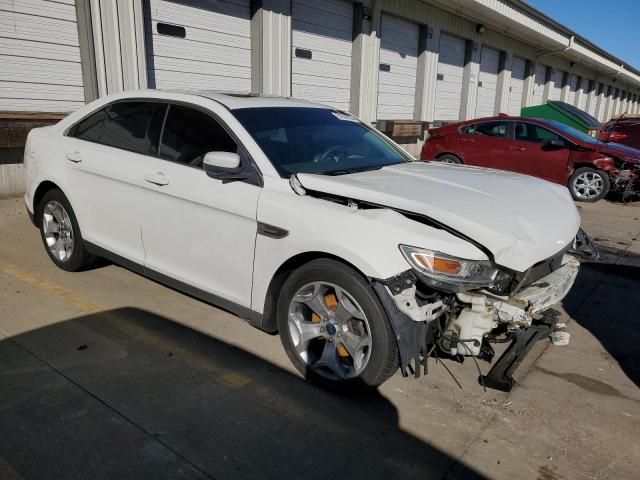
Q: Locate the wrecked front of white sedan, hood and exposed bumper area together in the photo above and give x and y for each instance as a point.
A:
(444, 306)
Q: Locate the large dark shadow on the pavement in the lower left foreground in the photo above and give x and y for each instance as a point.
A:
(129, 394)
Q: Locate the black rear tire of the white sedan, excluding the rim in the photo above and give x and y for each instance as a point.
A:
(80, 258)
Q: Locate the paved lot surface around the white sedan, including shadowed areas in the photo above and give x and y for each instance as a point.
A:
(105, 374)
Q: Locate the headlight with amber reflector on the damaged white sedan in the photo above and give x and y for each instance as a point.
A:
(452, 273)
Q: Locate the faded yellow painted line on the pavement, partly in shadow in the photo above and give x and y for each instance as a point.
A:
(226, 376)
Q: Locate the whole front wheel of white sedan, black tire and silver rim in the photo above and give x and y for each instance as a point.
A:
(333, 327)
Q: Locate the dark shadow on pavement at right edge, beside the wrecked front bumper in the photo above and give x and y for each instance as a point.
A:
(606, 301)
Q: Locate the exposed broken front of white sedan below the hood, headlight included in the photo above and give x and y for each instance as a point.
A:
(456, 308)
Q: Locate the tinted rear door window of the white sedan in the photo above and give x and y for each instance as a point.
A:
(129, 126)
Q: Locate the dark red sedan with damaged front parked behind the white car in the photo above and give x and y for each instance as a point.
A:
(542, 148)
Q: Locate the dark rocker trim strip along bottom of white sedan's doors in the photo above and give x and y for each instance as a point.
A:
(251, 316)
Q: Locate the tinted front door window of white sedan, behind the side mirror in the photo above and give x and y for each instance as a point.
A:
(189, 134)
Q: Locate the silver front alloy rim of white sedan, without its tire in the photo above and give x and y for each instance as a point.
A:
(329, 331)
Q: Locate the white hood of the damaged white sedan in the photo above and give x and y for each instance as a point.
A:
(521, 220)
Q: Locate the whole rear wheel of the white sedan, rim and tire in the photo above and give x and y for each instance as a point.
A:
(60, 232)
